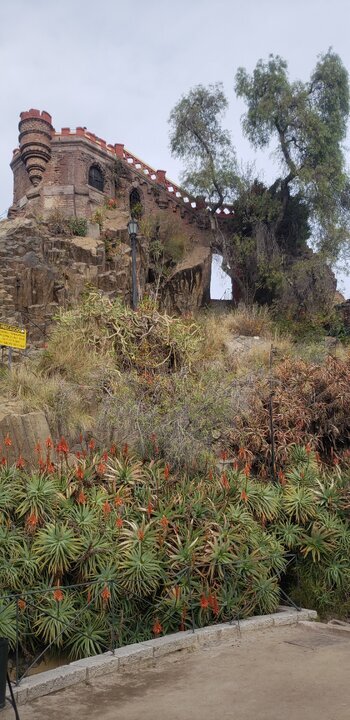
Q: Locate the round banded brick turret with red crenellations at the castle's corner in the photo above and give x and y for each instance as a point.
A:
(35, 133)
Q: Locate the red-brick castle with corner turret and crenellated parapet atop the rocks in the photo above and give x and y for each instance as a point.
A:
(47, 158)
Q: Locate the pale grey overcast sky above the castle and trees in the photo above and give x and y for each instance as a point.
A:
(119, 66)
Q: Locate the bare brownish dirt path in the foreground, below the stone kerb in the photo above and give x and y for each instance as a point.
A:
(287, 673)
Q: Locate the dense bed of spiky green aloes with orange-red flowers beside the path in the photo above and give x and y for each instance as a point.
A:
(152, 545)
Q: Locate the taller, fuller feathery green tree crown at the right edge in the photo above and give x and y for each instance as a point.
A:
(309, 122)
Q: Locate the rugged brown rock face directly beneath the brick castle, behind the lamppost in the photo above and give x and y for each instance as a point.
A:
(43, 268)
